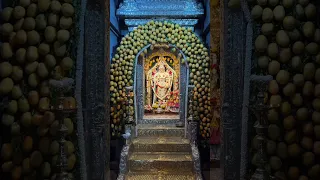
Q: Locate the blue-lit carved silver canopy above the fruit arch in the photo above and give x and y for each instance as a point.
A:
(182, 12)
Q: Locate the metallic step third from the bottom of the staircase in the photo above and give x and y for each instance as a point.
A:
(161, 144)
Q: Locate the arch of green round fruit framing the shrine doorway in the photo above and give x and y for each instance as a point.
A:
(153, 32)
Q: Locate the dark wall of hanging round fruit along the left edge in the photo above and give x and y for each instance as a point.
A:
(34, 39)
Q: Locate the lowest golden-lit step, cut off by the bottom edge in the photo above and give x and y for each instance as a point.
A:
(160, 176)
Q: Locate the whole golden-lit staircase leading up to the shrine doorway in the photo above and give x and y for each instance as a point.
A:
(160, 152)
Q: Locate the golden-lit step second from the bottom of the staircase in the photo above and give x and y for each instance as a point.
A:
(168, 162)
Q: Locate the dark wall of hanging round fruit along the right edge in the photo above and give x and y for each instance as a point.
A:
(288, 49)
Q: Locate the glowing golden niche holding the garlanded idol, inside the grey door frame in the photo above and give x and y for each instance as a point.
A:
(161, 84)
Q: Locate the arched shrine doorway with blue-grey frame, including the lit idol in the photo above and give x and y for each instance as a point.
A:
(161, 78)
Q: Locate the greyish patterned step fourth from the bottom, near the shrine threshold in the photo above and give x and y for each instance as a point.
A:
(156, 130)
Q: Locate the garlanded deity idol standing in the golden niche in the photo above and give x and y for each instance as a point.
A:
(162, 83)
